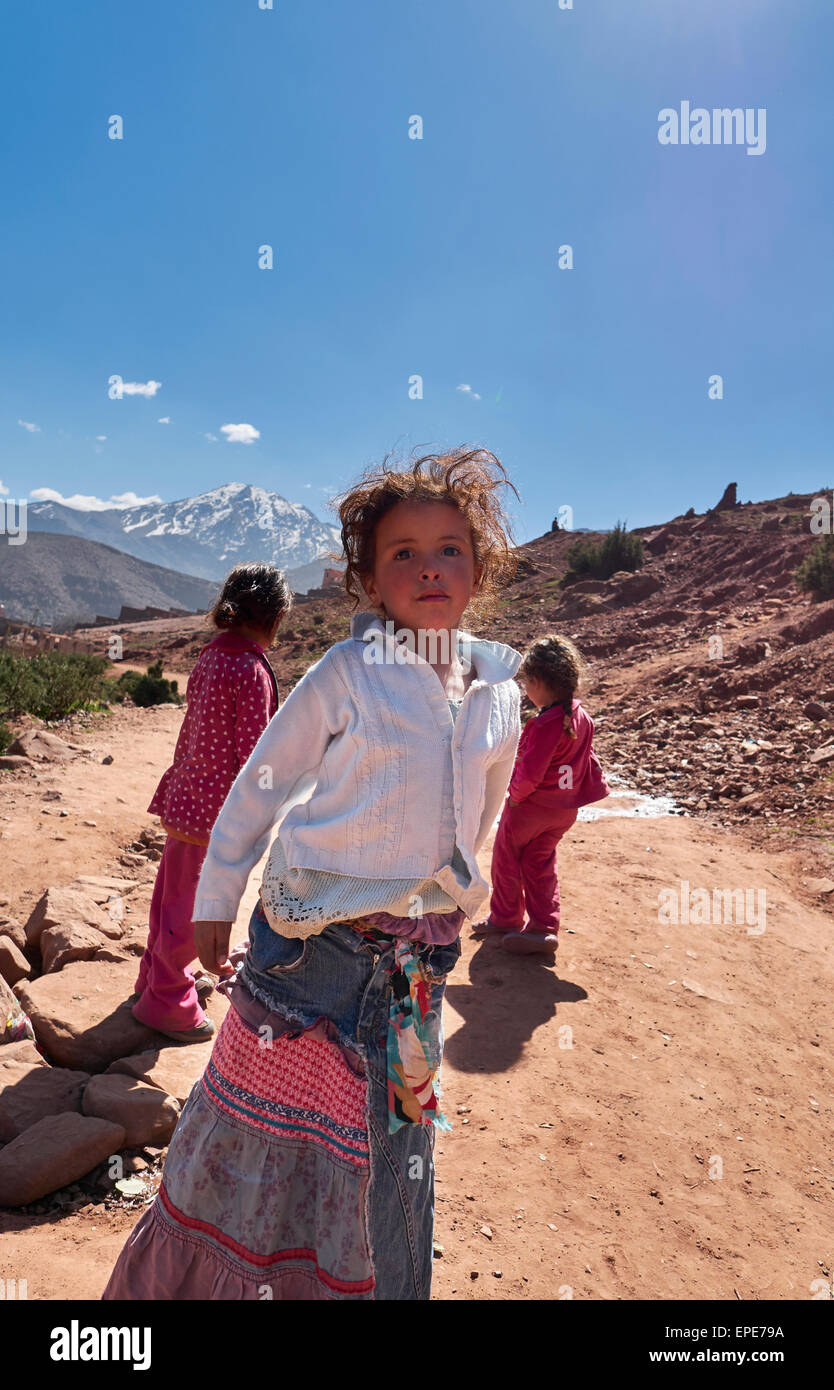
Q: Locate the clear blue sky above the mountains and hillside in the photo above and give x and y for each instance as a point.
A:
(397, 256)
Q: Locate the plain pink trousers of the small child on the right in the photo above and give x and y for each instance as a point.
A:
(525, 867)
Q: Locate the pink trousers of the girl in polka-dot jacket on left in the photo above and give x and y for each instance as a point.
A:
(166, 985)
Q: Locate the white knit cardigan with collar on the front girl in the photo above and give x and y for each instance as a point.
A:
(395, 782)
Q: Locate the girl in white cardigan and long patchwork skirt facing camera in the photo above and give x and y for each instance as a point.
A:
(302, 1166)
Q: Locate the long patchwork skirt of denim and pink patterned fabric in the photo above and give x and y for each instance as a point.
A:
(283, 1179)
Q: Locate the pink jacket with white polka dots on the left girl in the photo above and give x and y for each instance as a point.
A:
(233, 696)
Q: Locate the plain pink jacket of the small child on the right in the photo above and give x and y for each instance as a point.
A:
(553, 769)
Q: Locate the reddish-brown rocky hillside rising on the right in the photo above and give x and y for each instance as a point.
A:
(711, 676)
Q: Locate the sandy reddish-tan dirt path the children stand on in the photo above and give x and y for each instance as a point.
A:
(650, 1118)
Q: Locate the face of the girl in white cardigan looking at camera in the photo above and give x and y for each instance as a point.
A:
(425, 572)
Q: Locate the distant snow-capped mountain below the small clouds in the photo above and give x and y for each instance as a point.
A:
(205, 536)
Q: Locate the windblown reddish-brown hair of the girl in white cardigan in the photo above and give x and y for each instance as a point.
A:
(465, 477)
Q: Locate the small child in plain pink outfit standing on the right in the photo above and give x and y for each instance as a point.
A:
(557, 772)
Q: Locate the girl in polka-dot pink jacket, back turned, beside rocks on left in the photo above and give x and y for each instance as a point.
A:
(233, 696)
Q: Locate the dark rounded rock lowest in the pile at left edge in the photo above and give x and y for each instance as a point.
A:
(56, 1152)
